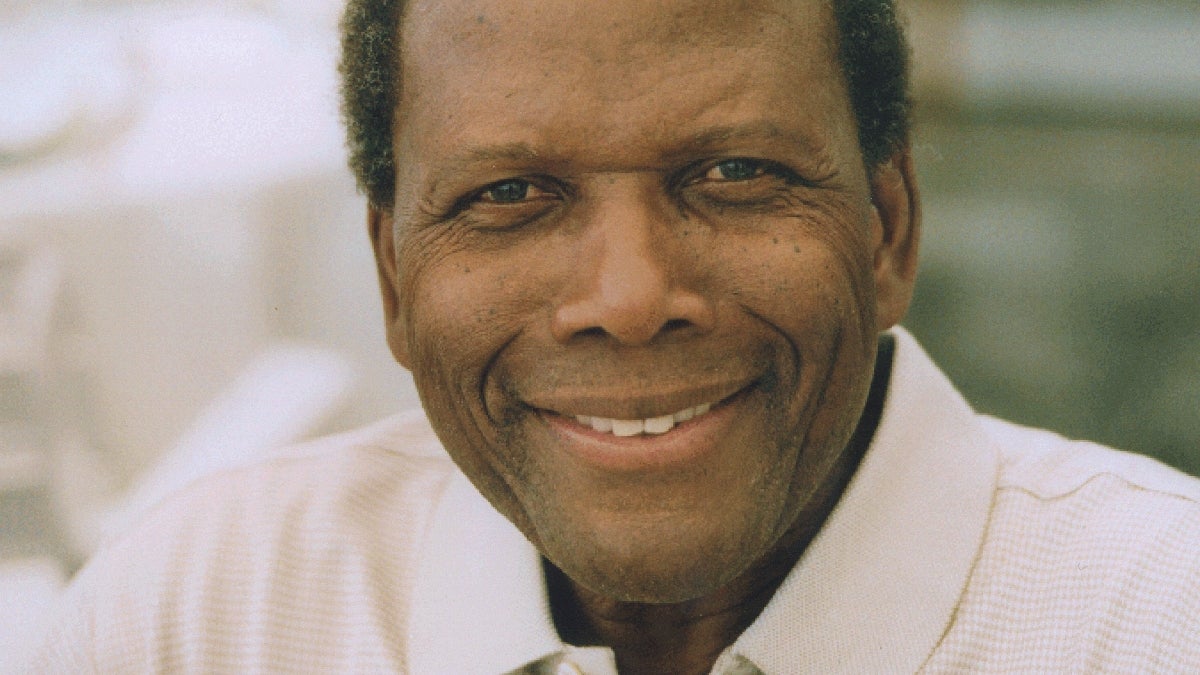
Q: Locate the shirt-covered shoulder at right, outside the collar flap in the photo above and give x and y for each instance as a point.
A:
(1091, 557)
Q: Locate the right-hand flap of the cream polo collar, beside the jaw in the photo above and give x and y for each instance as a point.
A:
(879, 586)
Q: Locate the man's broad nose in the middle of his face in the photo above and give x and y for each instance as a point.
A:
(634, 279)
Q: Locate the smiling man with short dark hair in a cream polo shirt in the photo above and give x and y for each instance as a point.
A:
(644, 261)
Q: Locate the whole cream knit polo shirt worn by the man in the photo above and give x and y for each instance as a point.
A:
(962, 545)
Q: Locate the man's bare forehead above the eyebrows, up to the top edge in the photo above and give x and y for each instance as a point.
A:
(616, 74)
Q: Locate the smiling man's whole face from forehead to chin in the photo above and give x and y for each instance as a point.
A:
(632, 211)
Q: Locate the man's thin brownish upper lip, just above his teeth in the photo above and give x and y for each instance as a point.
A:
(621, 403)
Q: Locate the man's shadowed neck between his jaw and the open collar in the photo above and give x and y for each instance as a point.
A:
(688, 637)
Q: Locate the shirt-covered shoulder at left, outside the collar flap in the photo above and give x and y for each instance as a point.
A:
(304, 559)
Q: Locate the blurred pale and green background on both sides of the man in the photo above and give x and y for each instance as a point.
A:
(185, 277)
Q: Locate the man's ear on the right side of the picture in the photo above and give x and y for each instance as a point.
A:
(897, 236)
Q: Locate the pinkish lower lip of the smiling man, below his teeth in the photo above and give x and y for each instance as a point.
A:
(685, 445)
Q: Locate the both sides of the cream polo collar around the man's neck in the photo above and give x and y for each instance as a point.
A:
(874, 593)
